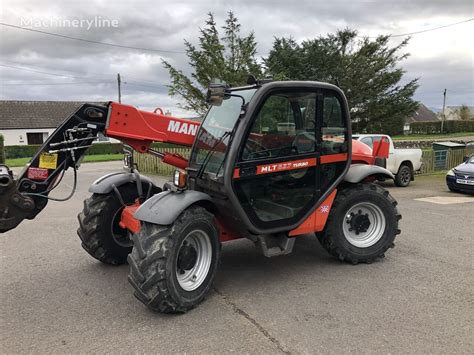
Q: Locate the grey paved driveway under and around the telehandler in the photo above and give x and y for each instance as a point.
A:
(55, 298)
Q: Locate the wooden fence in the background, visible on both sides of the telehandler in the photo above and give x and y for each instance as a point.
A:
(432, 160)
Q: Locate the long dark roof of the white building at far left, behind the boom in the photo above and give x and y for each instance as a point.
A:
(35, 114)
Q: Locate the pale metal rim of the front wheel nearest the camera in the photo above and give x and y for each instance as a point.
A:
(194, 260)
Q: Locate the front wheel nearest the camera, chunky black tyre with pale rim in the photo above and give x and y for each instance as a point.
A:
(172, 267)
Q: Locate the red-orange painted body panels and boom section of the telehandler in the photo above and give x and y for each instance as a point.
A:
(155, 125)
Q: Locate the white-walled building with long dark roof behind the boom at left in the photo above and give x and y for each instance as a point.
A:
(31, 122)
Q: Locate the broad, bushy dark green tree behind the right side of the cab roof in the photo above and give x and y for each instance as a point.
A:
(367, 70)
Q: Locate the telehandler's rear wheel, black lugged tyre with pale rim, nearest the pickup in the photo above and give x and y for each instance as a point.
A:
(362, 224)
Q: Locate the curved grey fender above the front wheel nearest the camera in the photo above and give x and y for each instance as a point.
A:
(165, 207)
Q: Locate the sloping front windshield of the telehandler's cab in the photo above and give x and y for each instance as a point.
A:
(215, 130)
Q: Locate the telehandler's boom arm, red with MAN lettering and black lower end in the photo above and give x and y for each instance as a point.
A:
(26, 196)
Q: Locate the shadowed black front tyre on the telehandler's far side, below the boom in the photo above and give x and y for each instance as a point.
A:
(99, 231)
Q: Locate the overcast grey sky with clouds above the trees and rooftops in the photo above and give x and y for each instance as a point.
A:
(82, 71)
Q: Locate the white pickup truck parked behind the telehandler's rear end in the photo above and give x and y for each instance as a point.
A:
(401, 162)
